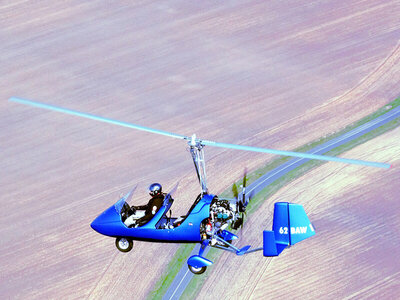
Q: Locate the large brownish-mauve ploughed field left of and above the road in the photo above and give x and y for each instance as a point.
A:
(269, 74)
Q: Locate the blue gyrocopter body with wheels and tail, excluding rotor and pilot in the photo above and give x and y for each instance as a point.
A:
(290, 226)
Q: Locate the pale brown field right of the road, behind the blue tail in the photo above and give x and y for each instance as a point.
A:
(355, 251)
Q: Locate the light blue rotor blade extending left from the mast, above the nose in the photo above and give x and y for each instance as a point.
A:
(94, 117)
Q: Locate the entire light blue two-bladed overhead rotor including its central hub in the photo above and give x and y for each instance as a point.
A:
(195, 141)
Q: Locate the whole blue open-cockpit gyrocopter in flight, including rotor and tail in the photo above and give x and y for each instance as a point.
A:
(209, 217)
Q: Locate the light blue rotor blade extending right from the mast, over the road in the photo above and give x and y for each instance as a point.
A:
(297, 154)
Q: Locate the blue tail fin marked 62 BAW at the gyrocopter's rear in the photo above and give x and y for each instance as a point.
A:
(291, 225)
